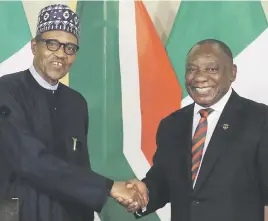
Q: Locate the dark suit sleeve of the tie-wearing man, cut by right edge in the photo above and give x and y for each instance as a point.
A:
(262, 159)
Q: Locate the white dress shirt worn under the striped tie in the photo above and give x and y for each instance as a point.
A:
(212, 119)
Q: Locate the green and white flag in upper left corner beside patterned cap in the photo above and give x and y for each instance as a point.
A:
(15, 54)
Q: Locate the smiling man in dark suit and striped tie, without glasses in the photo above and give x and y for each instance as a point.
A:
(212, 157)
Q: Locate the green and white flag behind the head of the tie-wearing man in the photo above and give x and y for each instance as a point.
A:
(241, 25)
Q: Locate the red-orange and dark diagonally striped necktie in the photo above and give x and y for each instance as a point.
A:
(198, 141)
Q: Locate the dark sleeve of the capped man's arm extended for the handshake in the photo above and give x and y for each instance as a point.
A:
(31, 161)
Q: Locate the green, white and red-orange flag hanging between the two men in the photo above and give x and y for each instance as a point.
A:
(124, 73)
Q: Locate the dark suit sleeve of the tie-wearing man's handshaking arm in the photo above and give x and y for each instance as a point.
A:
(155, 179)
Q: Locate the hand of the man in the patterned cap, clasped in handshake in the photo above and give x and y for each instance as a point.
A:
(126, 195)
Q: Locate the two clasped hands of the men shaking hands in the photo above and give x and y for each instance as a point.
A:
(131, 194)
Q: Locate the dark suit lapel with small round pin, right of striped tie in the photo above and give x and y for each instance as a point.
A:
(223, 134)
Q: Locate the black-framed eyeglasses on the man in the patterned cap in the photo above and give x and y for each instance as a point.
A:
(55, 45)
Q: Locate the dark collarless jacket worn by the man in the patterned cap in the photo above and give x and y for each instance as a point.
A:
(52, 181)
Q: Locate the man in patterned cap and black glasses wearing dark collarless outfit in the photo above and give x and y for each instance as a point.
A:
(43, 139)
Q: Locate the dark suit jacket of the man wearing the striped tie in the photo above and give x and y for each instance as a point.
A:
(233, 180)
